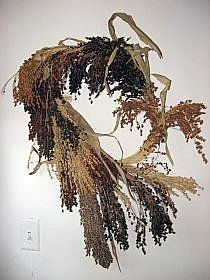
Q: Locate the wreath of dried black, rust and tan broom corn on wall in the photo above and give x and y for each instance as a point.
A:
(110, 192)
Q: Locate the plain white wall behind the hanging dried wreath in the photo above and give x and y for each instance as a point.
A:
(181, 28)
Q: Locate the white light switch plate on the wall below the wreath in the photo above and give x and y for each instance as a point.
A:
(30, 234)
